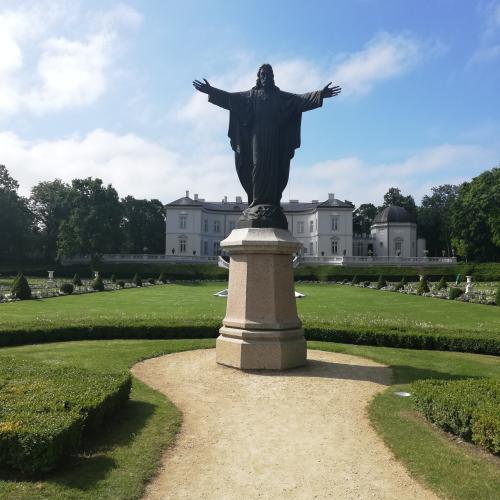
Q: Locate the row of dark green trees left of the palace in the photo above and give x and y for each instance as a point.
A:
(84, 217)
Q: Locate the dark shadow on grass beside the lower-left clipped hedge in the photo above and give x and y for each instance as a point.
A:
(83, 471)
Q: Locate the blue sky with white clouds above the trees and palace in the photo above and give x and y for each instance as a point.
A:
(103, 89)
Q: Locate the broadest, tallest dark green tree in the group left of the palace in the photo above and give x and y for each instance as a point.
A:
(92, 226)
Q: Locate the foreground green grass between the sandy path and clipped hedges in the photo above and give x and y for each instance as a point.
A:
(120, 461)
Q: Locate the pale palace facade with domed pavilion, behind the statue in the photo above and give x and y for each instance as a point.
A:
(195, 227)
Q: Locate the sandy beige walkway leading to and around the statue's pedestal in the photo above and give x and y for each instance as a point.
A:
(300, 434)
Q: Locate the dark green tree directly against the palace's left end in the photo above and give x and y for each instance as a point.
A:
(143, 226)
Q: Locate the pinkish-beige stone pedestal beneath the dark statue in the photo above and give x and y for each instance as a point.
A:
(261, 328)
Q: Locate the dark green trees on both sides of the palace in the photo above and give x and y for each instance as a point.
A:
(87, 217)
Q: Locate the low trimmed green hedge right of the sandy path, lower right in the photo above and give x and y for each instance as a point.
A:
(469, 408)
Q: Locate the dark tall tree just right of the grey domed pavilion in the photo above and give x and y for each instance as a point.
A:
(434, 219)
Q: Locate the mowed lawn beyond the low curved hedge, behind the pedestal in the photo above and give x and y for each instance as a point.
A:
(328, 307)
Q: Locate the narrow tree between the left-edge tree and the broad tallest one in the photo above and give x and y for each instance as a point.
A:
(50, 205)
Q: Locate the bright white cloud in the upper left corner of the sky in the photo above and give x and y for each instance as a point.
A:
(67, 72)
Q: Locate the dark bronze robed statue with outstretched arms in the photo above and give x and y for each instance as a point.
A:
(264, 130)
